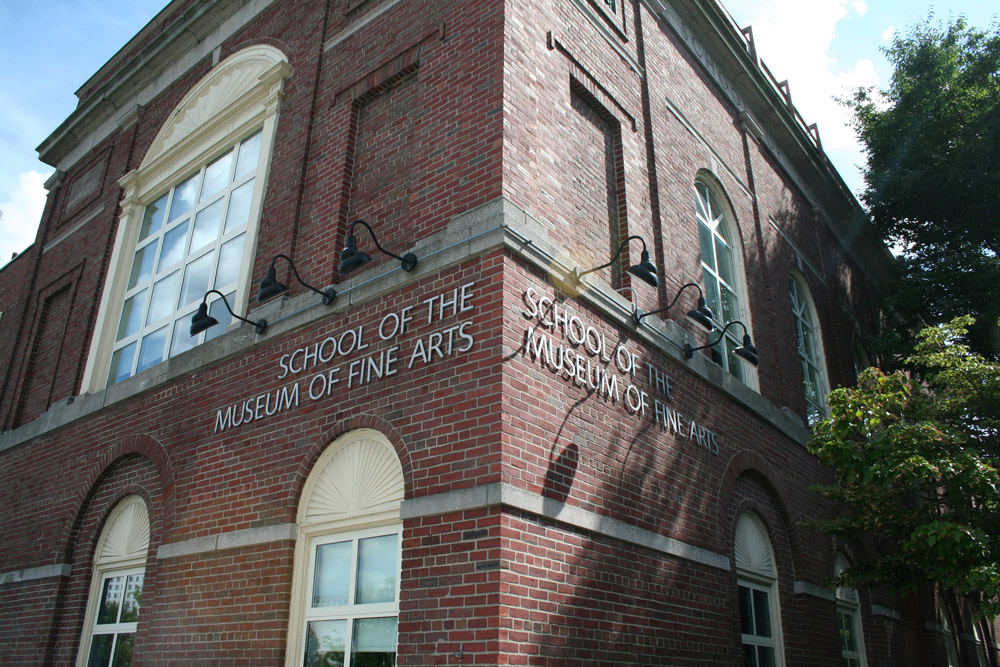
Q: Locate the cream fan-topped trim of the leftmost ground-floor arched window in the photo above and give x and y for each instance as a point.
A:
(114, 559)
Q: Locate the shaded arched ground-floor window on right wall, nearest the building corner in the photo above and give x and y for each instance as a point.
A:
(757, 587)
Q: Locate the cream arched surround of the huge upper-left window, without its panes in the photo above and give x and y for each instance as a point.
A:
(240, 95)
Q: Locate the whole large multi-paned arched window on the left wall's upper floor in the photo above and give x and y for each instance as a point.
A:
(189, 217)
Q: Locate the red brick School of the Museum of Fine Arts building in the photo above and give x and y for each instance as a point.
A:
(485, 445)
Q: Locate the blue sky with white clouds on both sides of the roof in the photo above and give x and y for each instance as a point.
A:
(825, 48)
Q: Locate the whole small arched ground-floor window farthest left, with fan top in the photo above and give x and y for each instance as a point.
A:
(116, 587)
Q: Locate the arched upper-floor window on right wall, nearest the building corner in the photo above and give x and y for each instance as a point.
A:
(723, 276)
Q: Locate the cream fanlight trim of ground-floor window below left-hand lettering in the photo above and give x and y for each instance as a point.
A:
(359, 518)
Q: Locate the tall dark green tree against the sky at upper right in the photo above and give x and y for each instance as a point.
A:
(932, 179)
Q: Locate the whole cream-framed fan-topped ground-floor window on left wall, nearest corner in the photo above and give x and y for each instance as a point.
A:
(345, 599)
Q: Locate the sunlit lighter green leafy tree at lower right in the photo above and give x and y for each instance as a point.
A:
(914, 456)
